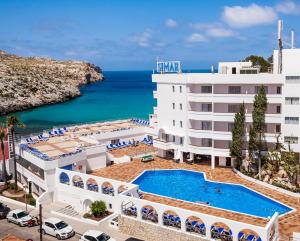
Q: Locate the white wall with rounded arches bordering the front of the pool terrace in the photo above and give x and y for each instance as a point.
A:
(80, 198)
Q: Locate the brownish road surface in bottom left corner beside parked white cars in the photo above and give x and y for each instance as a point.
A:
(25, 232)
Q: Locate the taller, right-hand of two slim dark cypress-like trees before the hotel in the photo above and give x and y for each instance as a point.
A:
(259, 125)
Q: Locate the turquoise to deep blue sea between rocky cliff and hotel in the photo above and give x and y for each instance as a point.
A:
(123, 94)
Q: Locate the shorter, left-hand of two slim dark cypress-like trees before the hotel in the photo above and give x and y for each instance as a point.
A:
(238, 136)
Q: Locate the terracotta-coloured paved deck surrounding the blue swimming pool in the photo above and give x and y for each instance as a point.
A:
(127, 172)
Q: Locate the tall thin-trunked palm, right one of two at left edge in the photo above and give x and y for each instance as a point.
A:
(12, 123)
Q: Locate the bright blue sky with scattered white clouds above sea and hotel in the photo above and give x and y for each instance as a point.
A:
(131, 34)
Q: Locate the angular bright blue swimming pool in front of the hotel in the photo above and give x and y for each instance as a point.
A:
(191, 186)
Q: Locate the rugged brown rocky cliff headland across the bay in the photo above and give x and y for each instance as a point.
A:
(31, 82)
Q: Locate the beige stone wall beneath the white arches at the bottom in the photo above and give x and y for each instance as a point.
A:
(152, 232)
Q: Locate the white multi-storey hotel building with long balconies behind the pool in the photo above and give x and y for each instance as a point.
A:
(195, 111)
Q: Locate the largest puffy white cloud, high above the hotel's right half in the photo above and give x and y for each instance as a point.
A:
(240, 17)
